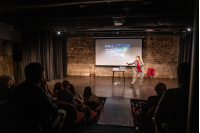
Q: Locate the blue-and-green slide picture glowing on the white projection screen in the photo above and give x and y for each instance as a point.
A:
(117, 51)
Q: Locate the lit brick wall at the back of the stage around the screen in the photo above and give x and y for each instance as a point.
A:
(159, 52)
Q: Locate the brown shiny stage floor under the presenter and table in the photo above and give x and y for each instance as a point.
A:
(103, 86)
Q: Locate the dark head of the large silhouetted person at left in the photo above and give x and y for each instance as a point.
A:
(34, 72)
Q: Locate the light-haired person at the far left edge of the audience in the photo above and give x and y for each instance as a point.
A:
(6, 86)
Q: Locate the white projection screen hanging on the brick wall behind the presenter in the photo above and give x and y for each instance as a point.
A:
(116, 52)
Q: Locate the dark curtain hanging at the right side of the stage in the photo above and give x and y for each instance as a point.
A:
(185, 47)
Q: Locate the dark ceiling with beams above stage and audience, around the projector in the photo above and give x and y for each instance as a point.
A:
(96, 17)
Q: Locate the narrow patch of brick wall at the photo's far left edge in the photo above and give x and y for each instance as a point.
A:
(6, 62)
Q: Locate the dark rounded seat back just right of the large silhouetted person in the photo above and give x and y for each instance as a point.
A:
(71, 111)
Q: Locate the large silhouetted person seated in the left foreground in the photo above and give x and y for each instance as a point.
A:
(30, 102)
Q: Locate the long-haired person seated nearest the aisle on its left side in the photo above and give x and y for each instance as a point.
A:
(88, 96)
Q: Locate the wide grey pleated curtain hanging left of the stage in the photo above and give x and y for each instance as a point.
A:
(44, 47)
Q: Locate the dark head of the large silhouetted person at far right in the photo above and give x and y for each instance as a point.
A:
(183, 73)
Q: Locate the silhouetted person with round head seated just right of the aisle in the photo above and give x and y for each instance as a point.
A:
(153, 100)
